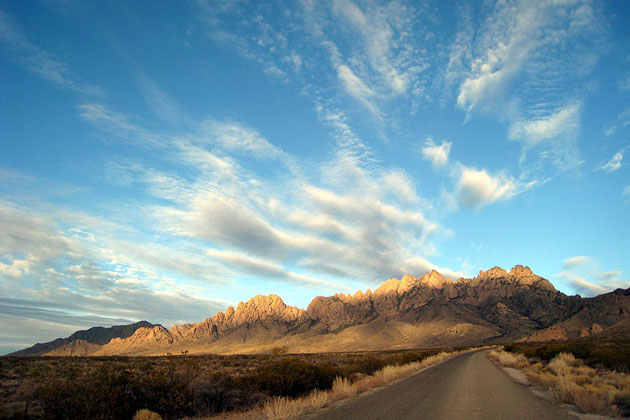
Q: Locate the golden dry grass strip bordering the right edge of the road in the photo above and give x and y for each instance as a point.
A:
(596, 391)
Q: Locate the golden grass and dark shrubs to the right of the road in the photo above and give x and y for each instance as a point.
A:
(588, 383)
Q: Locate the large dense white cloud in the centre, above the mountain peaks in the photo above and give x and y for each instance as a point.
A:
(354, 223)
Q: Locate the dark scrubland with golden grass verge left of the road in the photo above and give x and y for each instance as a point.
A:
(173, 387)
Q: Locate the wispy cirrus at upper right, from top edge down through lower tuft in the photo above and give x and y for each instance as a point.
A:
(515, 54)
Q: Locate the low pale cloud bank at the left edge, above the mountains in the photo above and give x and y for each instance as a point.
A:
(80, 276)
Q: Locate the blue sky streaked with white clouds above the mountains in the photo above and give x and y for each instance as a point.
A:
(164, 160)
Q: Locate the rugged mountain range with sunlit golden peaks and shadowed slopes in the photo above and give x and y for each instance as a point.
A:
(496, 306)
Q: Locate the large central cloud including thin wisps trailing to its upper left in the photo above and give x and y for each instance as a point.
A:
(327, 228)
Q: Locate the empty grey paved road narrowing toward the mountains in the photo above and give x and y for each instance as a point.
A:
(467, 386)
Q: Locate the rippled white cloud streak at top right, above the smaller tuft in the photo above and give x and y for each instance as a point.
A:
(520, 40)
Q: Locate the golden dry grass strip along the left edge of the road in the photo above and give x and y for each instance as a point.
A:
(284, 408)
